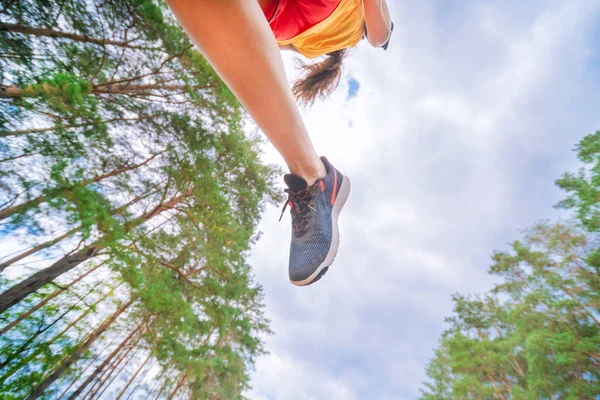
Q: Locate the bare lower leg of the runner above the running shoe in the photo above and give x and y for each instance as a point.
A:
(236, 39)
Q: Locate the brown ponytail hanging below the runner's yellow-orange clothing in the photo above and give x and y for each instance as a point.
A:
(321, 78)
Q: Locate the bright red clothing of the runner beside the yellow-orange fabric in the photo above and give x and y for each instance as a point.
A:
(289, 18)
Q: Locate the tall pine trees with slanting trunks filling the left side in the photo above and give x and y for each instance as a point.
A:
(125, 165)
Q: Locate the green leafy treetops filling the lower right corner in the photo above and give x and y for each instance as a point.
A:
(536, 335)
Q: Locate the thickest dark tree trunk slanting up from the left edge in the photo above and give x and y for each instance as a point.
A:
(24, 288)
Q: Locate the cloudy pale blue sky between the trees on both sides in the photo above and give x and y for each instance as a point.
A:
(452, 139)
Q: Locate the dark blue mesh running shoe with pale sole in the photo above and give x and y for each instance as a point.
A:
(315, 234)
